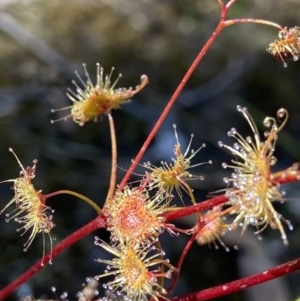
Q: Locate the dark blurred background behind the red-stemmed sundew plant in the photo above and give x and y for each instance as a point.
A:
(43, 42)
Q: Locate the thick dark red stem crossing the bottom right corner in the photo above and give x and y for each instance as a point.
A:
(238, 285)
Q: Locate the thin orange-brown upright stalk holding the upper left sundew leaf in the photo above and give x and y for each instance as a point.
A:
(113, 175)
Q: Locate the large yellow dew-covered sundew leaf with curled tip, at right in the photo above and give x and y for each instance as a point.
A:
(252, 188)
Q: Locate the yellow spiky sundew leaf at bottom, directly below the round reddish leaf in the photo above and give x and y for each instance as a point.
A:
(136, 275)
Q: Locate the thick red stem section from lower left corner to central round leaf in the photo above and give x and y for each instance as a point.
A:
(95, 224)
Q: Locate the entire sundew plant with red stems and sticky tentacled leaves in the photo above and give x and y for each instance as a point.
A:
(139, 265)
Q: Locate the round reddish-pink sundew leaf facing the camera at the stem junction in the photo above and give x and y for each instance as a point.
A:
(134, 208)
